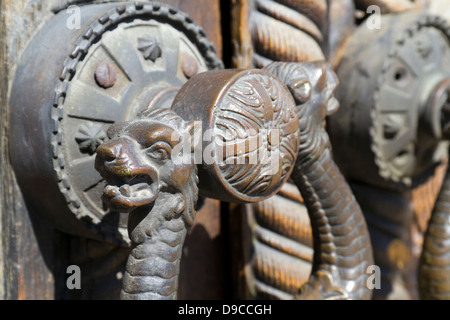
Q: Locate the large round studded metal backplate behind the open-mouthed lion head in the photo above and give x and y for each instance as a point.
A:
(73, 82)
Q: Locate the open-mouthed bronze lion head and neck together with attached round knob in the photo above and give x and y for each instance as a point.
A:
(234, 133)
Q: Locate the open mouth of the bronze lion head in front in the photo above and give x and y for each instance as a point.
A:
(130, 192)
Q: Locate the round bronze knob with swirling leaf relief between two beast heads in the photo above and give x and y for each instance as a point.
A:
(251, 132)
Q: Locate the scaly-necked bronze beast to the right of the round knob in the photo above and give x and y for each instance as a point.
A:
(342, 250)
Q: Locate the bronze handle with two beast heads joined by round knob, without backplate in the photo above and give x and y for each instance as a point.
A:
(251, 117)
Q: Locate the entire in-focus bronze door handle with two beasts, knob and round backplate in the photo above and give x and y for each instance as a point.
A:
(150, 65)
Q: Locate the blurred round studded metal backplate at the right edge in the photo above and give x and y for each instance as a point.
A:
(388, 131)
